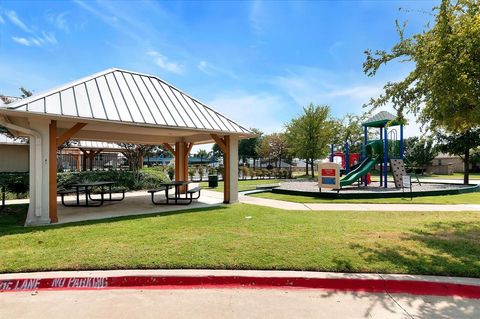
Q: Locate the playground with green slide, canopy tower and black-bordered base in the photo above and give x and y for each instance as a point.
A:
(376, 170)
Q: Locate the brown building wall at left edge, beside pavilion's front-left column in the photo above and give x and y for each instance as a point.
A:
(14, 158)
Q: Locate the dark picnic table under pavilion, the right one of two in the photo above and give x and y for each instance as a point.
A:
(177, 199)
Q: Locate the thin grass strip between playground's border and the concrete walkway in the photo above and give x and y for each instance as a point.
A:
(468, 198)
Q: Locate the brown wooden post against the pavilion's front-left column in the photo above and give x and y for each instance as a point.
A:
(52, 172)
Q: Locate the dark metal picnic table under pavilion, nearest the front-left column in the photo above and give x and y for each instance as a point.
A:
(87, 189)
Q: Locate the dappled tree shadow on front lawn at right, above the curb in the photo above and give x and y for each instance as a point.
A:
(440, 248)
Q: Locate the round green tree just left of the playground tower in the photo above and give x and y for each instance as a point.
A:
(310, 134)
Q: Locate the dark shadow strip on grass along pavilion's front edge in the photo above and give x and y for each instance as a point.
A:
(13, 218)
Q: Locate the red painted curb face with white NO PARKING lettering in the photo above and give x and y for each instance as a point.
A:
(184, 282)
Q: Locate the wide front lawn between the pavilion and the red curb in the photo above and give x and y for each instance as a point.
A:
(437, 243)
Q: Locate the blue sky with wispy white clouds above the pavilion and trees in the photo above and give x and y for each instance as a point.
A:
(257, 62)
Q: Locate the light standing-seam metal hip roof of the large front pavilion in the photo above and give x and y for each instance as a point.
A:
(128, 97)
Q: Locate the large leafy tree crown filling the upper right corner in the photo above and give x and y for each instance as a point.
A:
(443, 88)
